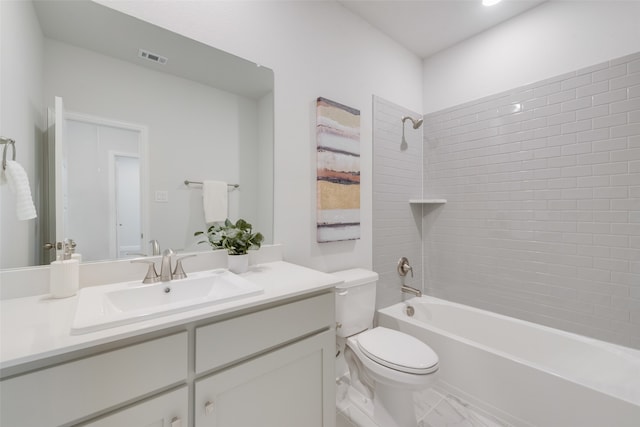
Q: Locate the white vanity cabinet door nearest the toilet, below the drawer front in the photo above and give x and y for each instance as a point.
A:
(290, 387)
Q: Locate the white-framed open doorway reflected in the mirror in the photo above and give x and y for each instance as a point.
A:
(104, 178)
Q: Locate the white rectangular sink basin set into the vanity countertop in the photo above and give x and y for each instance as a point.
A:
(102, 307)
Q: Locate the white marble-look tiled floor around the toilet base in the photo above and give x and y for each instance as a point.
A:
(433, 409)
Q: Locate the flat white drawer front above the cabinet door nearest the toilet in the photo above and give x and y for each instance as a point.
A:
(224, 342)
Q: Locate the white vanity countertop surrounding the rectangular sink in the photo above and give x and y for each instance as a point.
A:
(38, 327)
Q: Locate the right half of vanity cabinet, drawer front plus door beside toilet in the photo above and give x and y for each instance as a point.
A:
(285, 377)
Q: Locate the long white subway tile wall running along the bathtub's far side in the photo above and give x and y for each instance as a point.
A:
(543, 215)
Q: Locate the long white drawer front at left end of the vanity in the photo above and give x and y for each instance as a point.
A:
(76, 389)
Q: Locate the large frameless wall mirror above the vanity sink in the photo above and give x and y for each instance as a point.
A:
(140, 111)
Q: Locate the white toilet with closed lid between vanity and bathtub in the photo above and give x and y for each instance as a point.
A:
(385, 366)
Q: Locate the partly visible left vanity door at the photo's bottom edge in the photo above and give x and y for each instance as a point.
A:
(167, 410)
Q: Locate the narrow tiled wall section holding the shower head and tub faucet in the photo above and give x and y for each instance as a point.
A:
(397, 177)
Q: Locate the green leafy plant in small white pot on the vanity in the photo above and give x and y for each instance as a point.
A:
(236, 238)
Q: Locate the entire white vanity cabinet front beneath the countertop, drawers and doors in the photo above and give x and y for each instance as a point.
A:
(269, 365)
